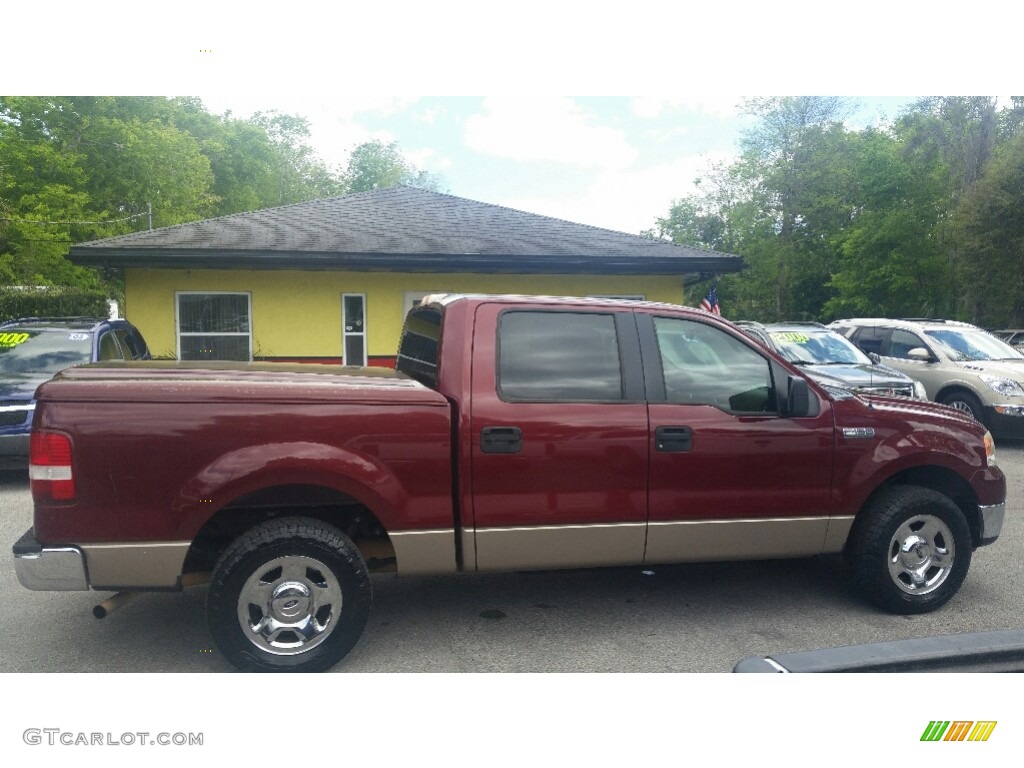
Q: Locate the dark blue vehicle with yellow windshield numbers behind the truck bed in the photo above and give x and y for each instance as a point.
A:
(33, 350)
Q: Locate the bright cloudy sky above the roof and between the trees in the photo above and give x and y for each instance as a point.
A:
(614, 162)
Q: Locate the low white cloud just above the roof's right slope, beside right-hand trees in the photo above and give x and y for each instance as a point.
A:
(625, 201)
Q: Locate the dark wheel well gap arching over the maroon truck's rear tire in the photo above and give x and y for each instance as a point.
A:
(315, 502)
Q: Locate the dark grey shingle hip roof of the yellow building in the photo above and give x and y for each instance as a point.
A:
(400, 229)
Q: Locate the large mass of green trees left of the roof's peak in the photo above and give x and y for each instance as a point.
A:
(75, 169)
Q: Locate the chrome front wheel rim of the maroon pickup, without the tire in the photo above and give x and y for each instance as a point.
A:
(921, 554)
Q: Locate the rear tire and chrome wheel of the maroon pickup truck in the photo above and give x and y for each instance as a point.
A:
(290, 595)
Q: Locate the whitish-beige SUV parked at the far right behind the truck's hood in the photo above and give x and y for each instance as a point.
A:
(960, 365)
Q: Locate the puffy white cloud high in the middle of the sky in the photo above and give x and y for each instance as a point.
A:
(551, 130)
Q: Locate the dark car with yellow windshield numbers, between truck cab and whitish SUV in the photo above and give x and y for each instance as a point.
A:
(832, 360)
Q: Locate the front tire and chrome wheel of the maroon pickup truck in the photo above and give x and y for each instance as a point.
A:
(910, 550)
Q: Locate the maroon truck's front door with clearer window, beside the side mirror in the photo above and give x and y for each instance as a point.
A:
(732, 478)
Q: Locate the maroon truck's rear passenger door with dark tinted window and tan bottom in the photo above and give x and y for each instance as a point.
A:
(560, 439)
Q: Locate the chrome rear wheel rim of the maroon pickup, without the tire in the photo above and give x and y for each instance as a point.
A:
(290, 606)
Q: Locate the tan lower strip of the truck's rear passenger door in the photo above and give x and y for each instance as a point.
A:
(560, 547)
